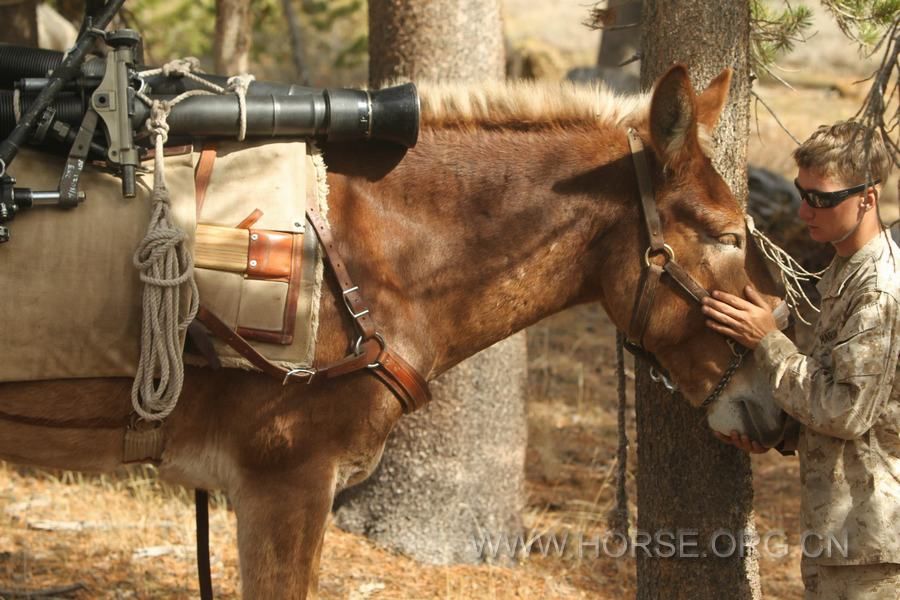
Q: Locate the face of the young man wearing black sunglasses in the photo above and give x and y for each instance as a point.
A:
(828, 224)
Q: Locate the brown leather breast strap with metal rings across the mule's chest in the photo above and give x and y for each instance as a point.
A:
(370, 352)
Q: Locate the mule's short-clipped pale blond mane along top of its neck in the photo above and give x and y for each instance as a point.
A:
(526, 104)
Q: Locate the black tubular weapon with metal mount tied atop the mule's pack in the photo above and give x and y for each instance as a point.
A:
(96, 109)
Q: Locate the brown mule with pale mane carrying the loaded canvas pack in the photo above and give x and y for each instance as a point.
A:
(515, 204)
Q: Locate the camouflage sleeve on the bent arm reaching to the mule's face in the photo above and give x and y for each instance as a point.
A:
(844, 400)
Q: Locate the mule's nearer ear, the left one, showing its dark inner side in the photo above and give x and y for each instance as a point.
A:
(673, 123)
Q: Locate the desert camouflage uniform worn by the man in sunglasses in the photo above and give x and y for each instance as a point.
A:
(845, 393)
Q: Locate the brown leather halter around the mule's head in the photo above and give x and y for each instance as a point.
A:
(652, 275)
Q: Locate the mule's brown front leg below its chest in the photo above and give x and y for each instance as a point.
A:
(281, 523)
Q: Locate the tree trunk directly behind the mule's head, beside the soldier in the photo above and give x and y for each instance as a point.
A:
(688, 482)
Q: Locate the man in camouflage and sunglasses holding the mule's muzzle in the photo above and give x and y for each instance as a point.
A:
(843, 390)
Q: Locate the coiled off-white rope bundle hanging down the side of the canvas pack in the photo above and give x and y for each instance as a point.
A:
(165, 264)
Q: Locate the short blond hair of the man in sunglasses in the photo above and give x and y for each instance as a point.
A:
(839, 151)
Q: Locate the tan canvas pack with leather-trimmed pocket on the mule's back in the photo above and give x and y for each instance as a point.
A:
(71, 296)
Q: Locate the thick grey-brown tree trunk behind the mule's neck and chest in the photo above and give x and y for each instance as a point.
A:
(457, 468)
